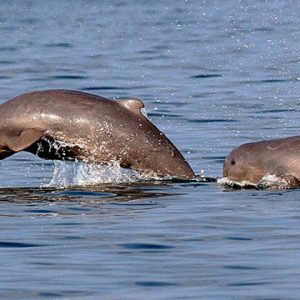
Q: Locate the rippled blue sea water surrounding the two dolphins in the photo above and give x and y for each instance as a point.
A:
(213, 75)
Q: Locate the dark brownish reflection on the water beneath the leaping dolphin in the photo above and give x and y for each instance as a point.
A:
(101, 193)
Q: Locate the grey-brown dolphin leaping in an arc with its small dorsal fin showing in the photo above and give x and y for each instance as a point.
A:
(72, 125)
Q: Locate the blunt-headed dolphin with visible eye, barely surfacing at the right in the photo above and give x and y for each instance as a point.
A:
(252, 161)
